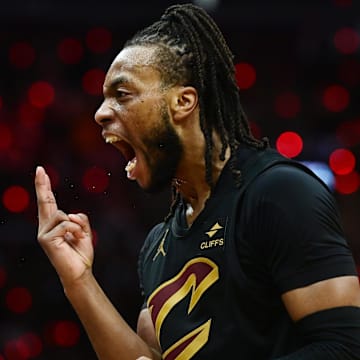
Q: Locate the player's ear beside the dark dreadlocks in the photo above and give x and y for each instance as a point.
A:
(183, 103)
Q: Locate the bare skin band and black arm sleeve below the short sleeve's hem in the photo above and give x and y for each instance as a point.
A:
(328, 317)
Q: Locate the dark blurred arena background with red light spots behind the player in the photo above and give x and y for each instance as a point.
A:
(298, 68)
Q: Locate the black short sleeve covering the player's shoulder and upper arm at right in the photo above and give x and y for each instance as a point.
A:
(292, 221)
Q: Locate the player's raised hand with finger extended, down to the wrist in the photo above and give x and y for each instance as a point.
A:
(65, 238)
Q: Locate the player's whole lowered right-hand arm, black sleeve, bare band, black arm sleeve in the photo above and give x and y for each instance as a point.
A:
(310, 263)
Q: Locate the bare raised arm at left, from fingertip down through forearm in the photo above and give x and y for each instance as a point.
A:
(66, 239)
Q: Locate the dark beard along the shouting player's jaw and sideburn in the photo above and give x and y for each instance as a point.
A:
(164, 153)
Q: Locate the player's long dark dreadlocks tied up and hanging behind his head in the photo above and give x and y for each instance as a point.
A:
(191, 50)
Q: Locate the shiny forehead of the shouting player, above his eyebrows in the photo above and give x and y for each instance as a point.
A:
(134, 62)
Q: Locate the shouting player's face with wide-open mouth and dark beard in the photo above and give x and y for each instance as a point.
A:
(136, 119)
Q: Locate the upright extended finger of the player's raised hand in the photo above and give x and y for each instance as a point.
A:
(45, 197)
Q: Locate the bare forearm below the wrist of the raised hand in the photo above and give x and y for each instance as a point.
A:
(112, 338)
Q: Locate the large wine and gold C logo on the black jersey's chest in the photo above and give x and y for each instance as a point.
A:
(195, 278)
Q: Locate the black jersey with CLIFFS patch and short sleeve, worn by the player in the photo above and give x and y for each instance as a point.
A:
(214, 289)
